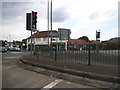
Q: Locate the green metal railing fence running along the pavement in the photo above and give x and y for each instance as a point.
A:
(88, 56)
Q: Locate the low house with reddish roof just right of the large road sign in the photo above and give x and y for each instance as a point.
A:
(77, 44)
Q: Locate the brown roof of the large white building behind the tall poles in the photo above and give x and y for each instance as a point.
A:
(43, 34)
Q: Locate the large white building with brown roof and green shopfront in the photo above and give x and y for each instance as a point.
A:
(44, 39)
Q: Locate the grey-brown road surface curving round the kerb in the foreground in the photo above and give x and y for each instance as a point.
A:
(15, 77)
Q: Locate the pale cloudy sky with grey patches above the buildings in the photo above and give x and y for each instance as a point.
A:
(83, 17)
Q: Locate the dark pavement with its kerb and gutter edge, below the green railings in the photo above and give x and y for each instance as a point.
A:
(97, 76)
